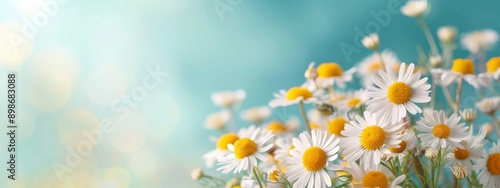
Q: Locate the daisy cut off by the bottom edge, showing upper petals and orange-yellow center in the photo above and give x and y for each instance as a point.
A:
(376, 176)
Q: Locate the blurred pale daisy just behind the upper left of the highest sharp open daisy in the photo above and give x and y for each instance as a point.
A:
(372, 64)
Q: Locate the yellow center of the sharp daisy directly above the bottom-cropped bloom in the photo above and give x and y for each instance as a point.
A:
(372, 137)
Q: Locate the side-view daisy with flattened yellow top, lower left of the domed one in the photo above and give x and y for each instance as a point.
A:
(293, 96)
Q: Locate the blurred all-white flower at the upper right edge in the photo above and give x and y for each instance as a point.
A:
(478, 41)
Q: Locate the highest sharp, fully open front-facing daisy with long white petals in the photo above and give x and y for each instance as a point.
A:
(397, 94)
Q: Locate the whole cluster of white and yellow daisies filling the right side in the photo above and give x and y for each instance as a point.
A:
(389, 133)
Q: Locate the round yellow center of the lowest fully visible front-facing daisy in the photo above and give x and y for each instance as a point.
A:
(314, 159)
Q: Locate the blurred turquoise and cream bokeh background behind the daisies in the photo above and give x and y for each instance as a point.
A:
(146, 69)
